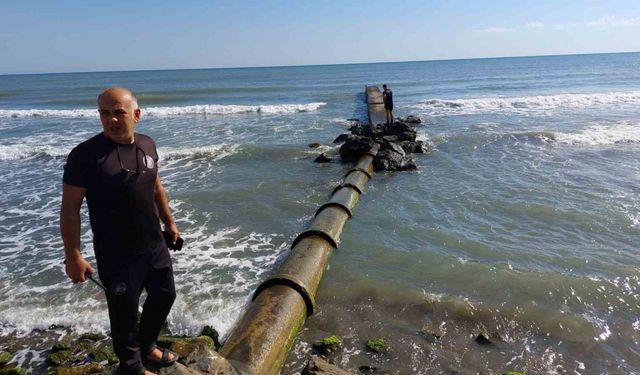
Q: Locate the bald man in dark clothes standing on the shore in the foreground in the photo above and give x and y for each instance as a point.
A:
(117, 172)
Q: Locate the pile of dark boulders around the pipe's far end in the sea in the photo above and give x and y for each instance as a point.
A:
(397, 144)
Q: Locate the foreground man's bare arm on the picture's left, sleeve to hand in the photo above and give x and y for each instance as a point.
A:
(75, 265)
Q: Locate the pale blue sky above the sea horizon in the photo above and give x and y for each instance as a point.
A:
(89, 35)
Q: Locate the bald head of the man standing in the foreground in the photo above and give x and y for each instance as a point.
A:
(119, 115)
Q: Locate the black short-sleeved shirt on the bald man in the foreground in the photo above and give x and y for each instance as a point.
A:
(120, 181)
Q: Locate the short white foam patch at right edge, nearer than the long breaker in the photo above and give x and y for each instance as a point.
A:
(626, 132)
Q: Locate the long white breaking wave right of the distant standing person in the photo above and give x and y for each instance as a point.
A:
(526, 103)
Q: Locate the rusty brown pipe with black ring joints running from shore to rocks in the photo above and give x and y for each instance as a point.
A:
(261, 340)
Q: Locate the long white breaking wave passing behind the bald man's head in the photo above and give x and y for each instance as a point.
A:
(207, 109)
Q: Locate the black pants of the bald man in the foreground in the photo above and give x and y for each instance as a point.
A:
(125, 279)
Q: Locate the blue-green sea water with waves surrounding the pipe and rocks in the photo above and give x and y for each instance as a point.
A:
(523, 224)
